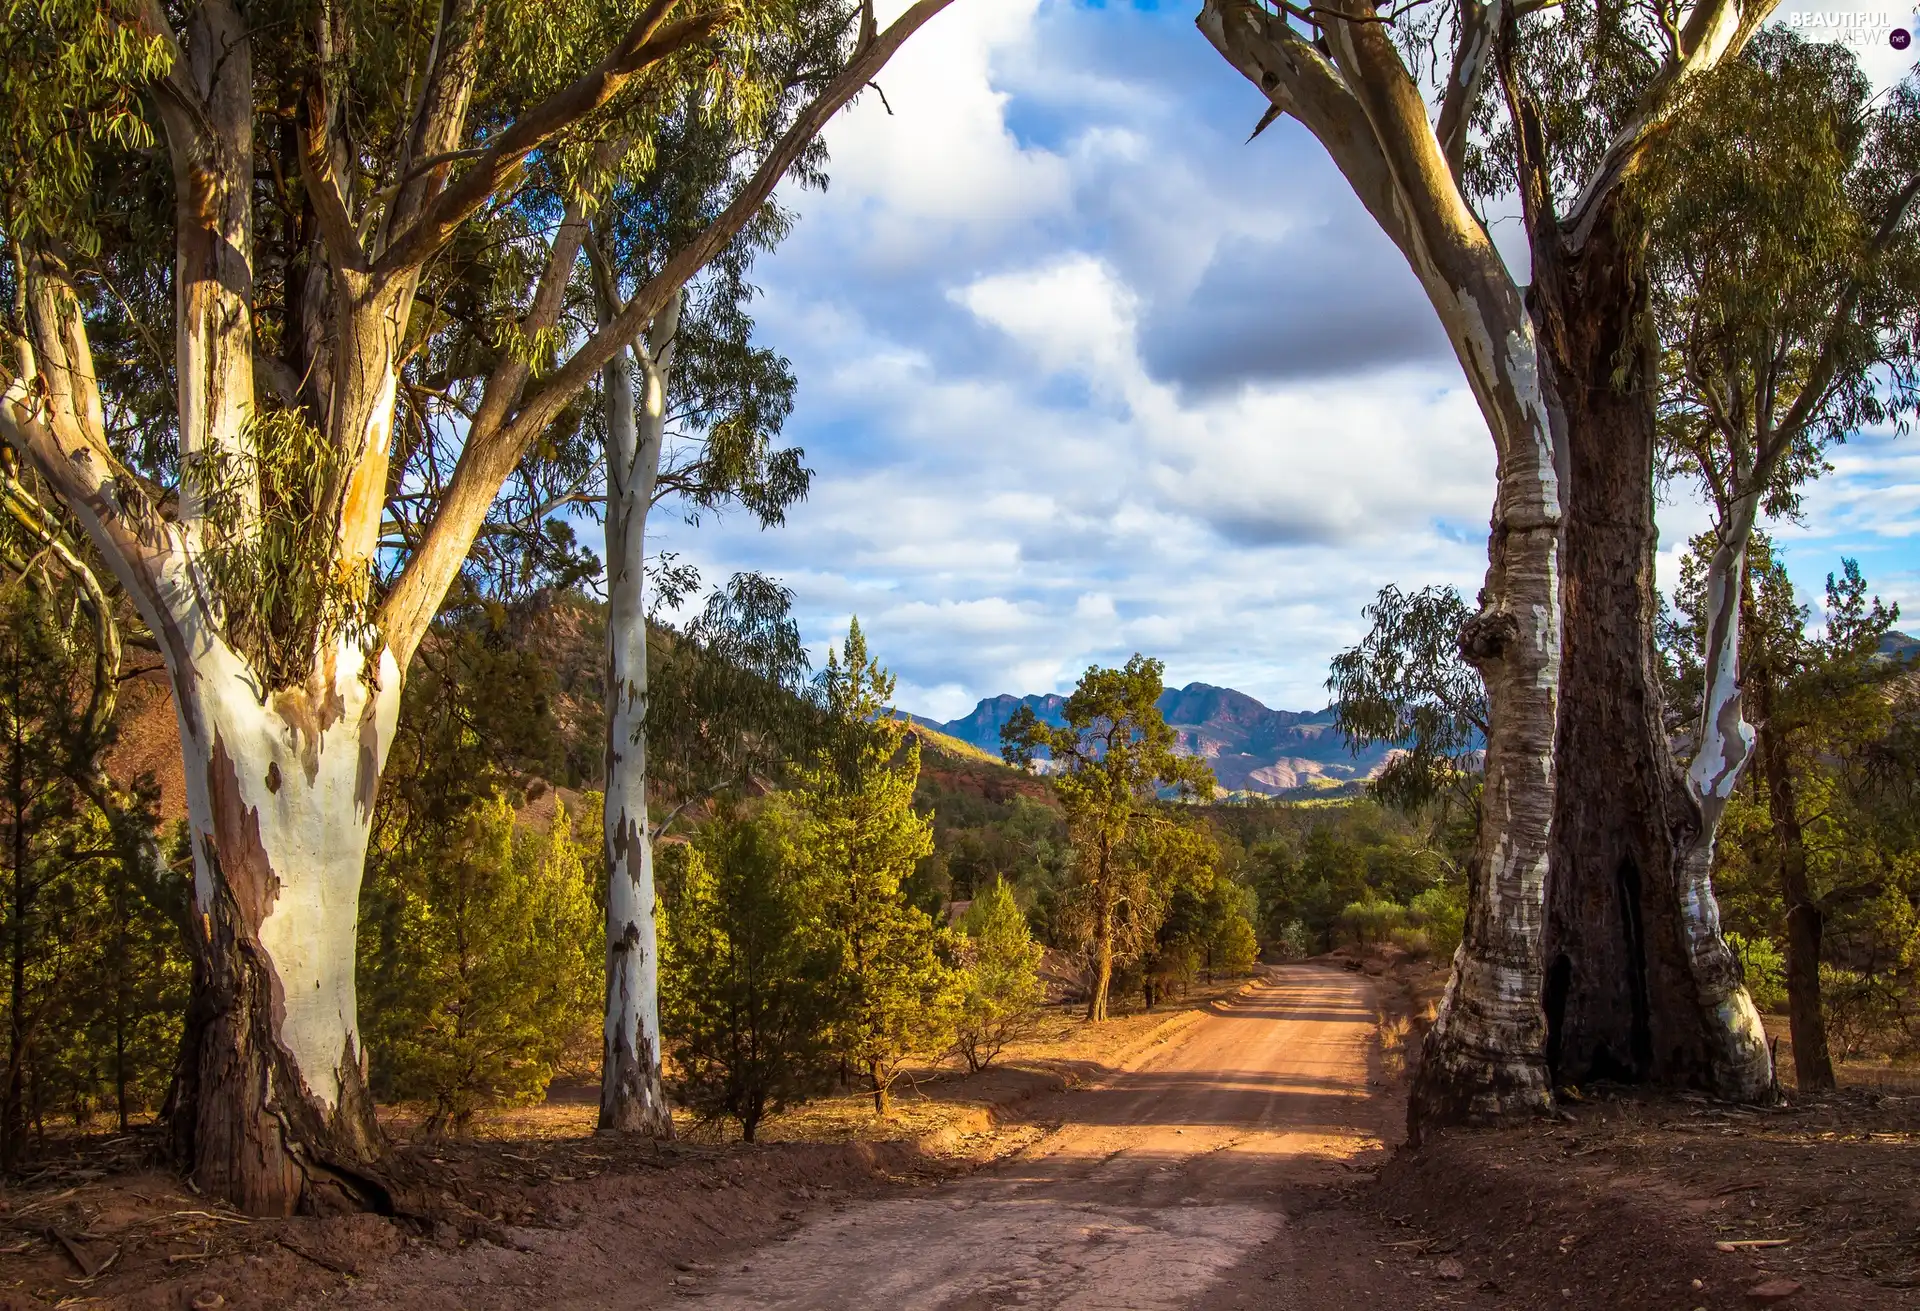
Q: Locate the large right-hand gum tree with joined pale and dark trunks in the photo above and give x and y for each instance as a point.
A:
(1579, 780)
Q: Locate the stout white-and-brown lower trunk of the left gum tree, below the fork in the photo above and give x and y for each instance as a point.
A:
(279, 798)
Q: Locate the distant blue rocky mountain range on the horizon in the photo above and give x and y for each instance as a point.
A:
(1253, 748)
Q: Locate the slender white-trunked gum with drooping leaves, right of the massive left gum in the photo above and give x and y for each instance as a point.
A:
(698, 379)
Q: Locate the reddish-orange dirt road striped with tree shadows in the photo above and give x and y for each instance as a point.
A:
(1159, 1189)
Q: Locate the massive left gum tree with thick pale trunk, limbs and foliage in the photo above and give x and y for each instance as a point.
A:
(347, 195)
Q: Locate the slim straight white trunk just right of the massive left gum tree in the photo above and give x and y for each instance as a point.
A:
(633, 1095)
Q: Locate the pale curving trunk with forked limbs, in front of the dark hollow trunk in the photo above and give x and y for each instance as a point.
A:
(1485, 1057)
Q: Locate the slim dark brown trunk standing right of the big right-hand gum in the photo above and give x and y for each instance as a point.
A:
(1813, 1061)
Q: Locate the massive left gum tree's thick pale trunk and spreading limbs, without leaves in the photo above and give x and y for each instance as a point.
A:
(283, 755)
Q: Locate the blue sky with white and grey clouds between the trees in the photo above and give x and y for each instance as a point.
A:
(1084, 373)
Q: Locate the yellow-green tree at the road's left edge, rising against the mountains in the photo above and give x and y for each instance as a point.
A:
(1109, 763)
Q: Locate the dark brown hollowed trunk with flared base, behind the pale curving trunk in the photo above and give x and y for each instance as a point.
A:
(1639, 980)
